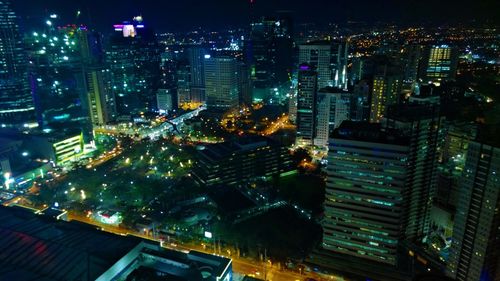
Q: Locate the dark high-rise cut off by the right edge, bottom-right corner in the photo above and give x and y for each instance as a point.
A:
(476, 233)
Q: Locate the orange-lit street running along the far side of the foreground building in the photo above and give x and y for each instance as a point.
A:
(241, 266)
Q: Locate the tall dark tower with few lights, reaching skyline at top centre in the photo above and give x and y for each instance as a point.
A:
(270, 50)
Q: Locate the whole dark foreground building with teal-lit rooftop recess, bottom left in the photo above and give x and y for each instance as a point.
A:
(39, 247)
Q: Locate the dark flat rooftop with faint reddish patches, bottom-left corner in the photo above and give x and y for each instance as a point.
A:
(37, 247)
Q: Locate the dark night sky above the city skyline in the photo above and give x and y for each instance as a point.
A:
(173, 15)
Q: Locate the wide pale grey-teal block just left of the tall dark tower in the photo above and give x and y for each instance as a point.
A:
(221, 82)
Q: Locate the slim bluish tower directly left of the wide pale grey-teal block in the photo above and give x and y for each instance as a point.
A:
(196, 57)
